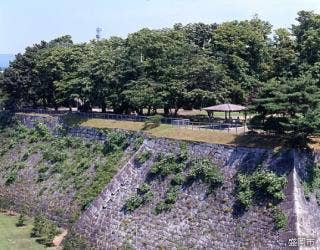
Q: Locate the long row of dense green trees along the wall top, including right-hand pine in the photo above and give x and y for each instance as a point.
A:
(186, 66)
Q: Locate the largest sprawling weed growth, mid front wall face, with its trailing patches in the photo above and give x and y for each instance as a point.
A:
(182, 171)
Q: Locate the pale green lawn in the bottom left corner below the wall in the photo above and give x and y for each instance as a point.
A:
(17, 238)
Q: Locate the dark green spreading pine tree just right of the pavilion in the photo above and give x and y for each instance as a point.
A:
(287, 105)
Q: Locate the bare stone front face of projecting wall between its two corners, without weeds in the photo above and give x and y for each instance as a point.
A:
(197, 221)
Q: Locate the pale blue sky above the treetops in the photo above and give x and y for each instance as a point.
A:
(23, 23)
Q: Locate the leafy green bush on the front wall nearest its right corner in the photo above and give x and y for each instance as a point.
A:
(260, 185)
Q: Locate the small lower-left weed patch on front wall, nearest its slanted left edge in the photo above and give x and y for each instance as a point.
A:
(143, 196)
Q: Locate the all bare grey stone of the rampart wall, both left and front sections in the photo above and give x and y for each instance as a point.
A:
(197, 220)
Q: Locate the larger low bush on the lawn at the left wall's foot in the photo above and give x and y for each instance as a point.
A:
(44, 230)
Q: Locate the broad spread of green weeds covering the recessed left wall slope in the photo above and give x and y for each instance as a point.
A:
(71, 160)
